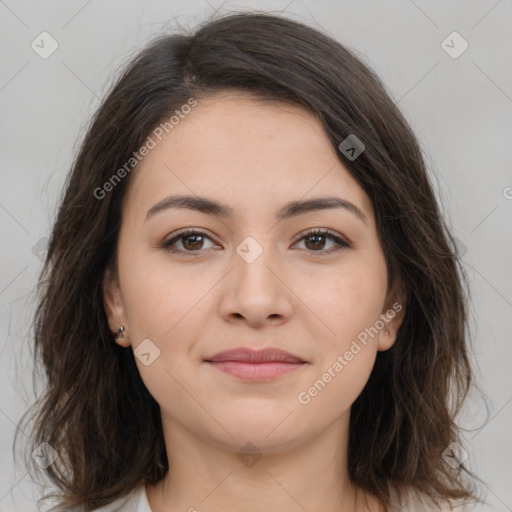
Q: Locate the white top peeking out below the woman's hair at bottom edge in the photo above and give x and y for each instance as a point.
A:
(137, 501)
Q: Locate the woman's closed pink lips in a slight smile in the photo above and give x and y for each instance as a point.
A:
(256, 365)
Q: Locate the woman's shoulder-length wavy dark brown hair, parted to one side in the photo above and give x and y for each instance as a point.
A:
(96, 411)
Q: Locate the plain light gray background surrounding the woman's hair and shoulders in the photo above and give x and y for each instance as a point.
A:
(460, 108)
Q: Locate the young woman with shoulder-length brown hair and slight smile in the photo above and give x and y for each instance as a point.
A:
(250, 298)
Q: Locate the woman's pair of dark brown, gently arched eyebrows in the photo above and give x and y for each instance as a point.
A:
(289, 210)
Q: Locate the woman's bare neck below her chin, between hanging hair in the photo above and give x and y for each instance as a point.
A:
(209, 476)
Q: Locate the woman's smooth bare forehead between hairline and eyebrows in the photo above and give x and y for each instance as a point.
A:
(248, 152)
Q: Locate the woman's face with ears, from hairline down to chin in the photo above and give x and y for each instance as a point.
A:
(251, 274)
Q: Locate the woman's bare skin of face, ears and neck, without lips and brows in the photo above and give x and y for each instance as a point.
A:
(254, 157)
